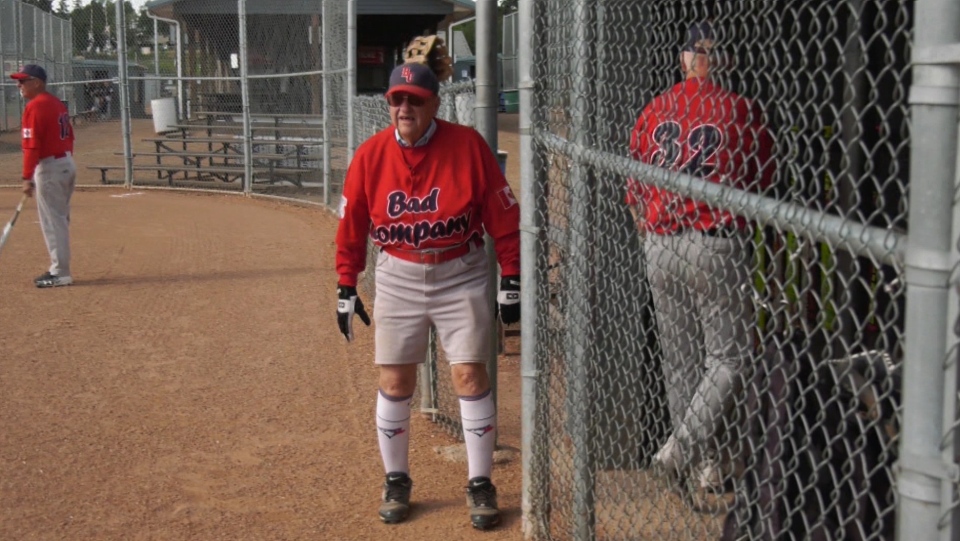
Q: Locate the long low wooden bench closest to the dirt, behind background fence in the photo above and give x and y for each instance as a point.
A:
(200, 173)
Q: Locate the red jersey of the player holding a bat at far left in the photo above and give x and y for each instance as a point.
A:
(46, 131)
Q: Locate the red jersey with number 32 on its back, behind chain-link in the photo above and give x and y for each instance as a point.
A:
(702, 130)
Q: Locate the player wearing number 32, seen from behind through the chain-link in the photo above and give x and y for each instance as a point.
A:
(699, 257)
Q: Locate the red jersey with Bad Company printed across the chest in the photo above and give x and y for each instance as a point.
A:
(434, 196)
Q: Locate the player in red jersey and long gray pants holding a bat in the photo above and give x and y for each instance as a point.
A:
(48, 168)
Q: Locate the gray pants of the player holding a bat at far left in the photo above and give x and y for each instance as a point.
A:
(55, 180)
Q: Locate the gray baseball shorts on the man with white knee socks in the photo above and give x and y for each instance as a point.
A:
(453, 296)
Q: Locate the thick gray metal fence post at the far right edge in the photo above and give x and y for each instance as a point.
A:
(925, 472)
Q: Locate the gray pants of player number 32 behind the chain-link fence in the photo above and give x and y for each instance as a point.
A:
(705, 318)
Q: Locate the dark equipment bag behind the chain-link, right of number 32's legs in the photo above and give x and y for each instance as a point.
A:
(820, 448)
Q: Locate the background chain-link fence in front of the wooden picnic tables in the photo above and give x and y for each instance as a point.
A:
(250, 101)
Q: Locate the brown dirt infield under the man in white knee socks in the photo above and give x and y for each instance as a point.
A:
(192, 384)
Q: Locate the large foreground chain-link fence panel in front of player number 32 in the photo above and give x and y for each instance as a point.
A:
(717, 301)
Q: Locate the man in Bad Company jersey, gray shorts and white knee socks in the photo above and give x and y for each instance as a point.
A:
(425, 191)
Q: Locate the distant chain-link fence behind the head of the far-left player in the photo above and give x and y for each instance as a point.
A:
(29, 35)
